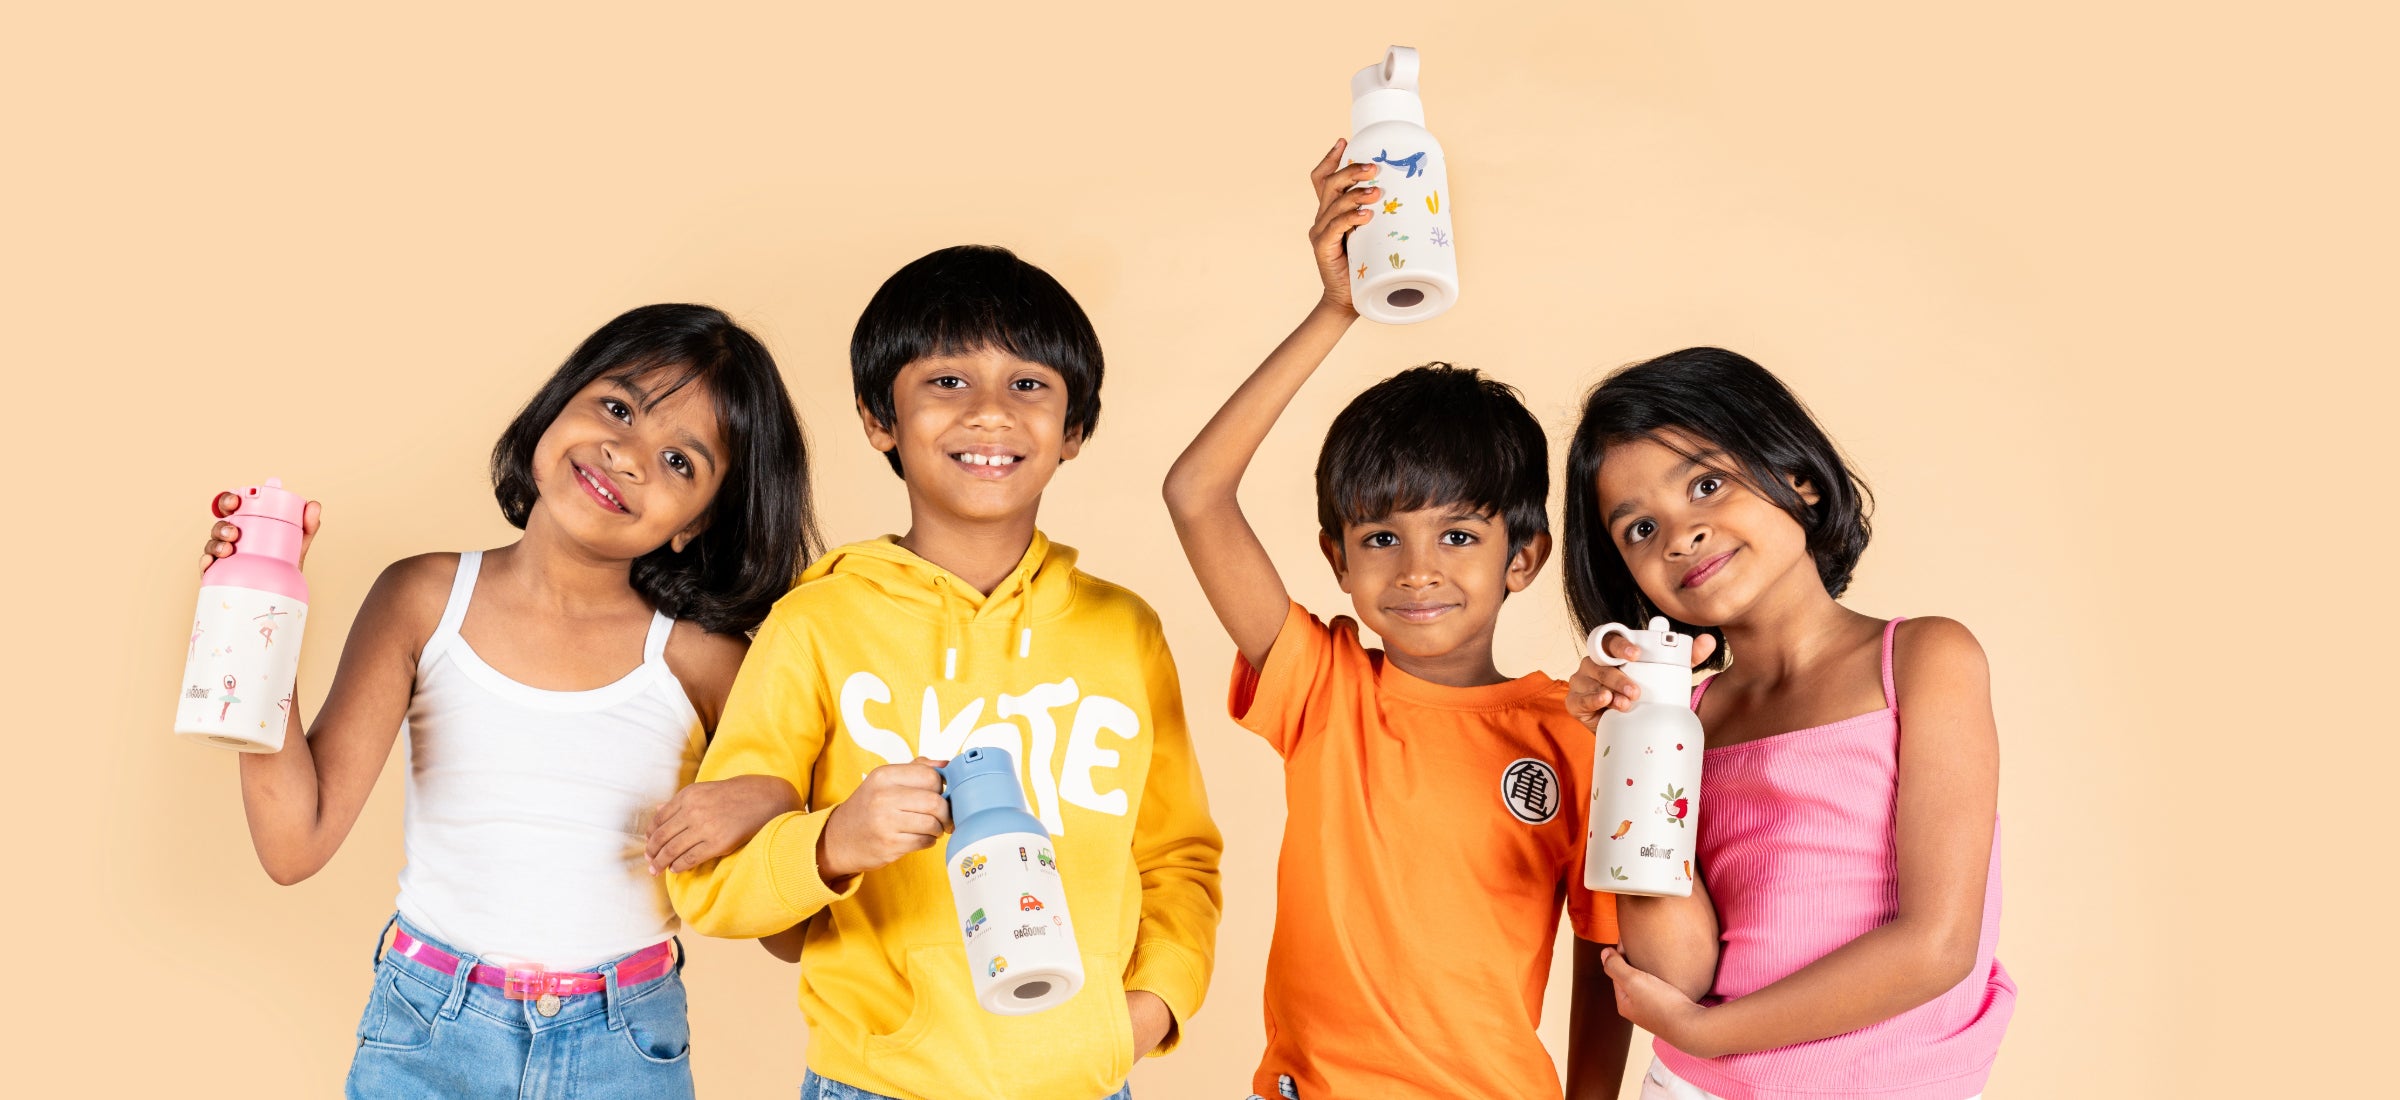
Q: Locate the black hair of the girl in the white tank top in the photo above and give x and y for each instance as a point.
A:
(762, 525)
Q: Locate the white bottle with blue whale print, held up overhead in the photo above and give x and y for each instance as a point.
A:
(1403, 268)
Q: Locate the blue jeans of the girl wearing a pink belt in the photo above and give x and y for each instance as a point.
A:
(428, 1034)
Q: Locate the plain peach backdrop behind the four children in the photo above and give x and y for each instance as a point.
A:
(2084, 289)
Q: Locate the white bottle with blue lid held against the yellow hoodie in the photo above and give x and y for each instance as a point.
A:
(1004, 878)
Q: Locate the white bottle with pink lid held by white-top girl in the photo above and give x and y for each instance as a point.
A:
(246, 638)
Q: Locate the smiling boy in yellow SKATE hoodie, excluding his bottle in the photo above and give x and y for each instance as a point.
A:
(976, 376)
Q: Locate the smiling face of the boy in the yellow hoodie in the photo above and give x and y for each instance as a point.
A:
(978, 436)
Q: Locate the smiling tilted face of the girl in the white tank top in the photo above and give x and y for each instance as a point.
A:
(630, 467)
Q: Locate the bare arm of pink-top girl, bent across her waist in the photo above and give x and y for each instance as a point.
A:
(1948, 803)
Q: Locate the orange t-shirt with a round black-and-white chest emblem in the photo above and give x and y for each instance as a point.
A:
(1432, 837)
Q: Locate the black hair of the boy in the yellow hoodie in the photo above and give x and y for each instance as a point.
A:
(968, 299)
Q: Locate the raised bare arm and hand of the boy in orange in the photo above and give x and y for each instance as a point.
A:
(1201, 489)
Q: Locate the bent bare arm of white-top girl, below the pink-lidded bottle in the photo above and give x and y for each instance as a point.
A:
(304, 801)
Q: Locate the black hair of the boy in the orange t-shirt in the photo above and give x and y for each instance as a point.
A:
(1436, 436)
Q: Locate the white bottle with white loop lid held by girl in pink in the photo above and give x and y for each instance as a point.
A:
(1645, 782)
